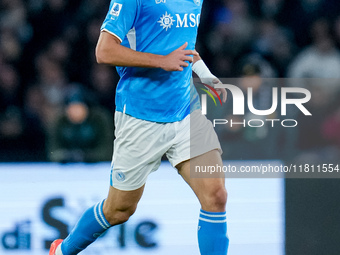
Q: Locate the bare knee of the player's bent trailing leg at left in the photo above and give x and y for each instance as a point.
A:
(120, 204)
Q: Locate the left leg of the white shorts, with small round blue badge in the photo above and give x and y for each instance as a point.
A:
(138, 149)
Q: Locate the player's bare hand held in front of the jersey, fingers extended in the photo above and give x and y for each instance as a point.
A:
(176, 60)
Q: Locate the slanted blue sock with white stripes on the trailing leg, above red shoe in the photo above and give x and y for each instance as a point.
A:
(90, 226)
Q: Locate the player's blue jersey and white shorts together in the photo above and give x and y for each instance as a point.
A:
(154, 108)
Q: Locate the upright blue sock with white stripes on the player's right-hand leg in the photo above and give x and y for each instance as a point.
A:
(212, 233)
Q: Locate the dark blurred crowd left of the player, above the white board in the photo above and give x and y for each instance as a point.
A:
(46, 54)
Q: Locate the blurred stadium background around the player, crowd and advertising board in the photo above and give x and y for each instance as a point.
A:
(47, 62)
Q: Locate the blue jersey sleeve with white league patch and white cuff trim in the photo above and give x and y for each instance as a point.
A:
(120, 17)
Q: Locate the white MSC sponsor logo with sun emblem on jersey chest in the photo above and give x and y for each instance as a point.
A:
(182, 20)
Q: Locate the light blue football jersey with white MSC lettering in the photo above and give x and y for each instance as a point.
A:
(159, 27)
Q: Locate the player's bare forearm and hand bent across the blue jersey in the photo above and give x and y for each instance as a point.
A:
(110, 51)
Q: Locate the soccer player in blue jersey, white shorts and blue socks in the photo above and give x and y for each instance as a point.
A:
(152, 43)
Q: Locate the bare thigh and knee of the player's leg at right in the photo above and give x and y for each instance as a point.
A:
(209, 189)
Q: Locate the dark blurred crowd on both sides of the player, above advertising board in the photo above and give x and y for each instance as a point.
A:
(47, 62)
